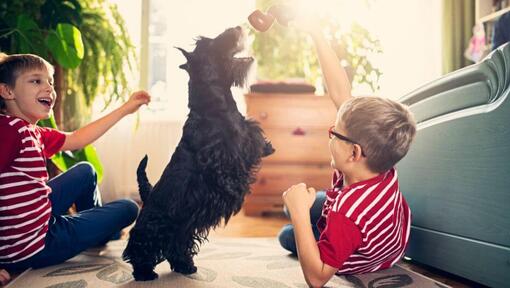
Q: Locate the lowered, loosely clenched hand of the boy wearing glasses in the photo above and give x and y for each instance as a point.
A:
(299, 199)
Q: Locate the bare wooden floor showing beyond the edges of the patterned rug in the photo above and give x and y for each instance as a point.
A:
(269, 226)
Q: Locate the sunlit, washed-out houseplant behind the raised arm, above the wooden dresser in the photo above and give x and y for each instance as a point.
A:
(284, 53)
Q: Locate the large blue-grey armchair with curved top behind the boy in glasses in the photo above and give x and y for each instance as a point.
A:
(456, 177)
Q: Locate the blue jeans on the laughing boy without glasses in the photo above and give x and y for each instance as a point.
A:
(93, 225)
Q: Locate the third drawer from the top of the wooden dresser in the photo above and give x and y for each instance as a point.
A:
(275, 179)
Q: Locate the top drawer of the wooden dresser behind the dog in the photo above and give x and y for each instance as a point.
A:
(291, 110)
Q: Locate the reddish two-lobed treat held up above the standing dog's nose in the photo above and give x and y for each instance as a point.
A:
(263, 21)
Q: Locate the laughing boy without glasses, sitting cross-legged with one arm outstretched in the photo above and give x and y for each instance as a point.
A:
(34, 228)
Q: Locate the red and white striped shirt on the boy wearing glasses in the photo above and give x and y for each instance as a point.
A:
(365, 226)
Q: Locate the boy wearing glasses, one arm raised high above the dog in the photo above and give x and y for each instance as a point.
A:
(362, 223)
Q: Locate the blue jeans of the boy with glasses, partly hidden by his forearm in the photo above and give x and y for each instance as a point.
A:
(286, 235)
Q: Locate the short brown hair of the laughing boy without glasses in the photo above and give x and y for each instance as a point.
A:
(11, 66)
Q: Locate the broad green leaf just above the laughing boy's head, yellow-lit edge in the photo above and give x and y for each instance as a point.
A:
(66, 45)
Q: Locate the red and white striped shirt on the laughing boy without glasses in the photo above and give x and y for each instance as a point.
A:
(25, 208)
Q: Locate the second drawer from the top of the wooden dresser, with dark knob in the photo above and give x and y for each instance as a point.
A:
(298, 145)
